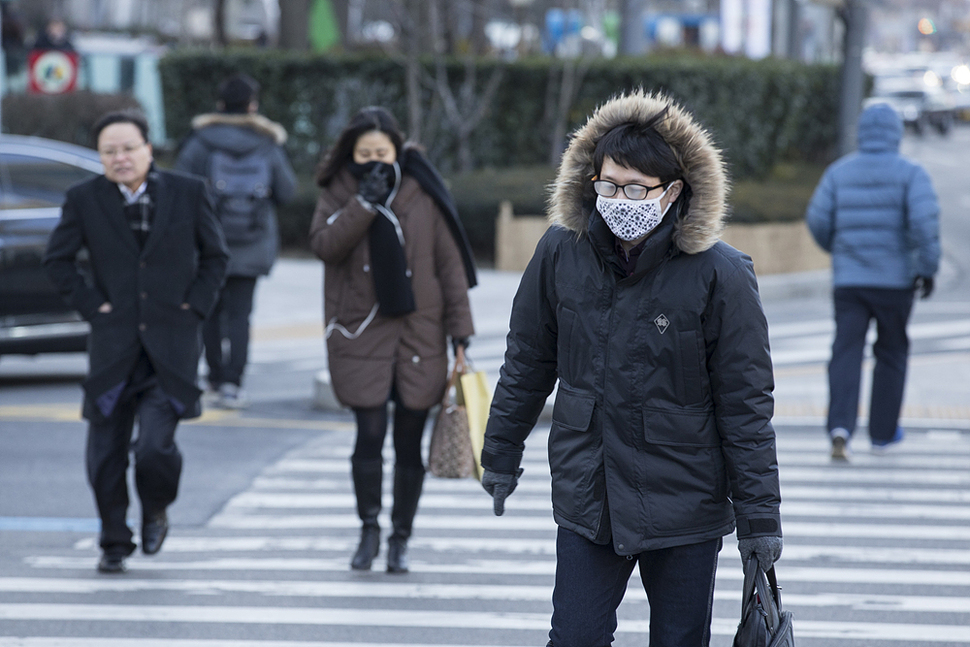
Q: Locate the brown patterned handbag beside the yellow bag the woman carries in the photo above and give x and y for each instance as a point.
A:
(451, 454)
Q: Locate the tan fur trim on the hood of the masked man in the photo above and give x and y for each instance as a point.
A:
(701, 163)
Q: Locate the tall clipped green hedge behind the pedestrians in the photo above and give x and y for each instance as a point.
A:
(759, 111)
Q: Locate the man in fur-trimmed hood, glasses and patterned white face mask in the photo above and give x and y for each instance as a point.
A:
(661, 440)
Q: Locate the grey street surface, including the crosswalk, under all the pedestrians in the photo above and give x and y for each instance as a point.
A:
(877, 552)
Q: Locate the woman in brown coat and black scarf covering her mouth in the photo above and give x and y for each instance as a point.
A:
(398, 269)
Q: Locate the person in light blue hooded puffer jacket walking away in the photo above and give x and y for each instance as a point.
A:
(877, 214)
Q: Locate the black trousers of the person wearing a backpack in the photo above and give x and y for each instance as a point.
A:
(229, 320)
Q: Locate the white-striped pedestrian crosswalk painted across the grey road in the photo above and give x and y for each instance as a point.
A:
(272, 532)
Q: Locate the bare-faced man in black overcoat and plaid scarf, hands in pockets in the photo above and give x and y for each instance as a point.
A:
(157, 260)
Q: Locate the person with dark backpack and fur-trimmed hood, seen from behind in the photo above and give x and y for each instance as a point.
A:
(241, 153)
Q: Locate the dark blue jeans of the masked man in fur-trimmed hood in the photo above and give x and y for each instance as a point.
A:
(591, 580)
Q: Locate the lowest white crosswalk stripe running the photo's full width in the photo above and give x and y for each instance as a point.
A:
(430, 619)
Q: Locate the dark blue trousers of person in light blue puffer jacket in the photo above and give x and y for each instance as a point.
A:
(854, 309)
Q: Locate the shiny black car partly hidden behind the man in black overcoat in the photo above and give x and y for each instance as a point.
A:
(34, 175)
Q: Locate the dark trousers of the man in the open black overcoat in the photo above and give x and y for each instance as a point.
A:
(158, 463)
